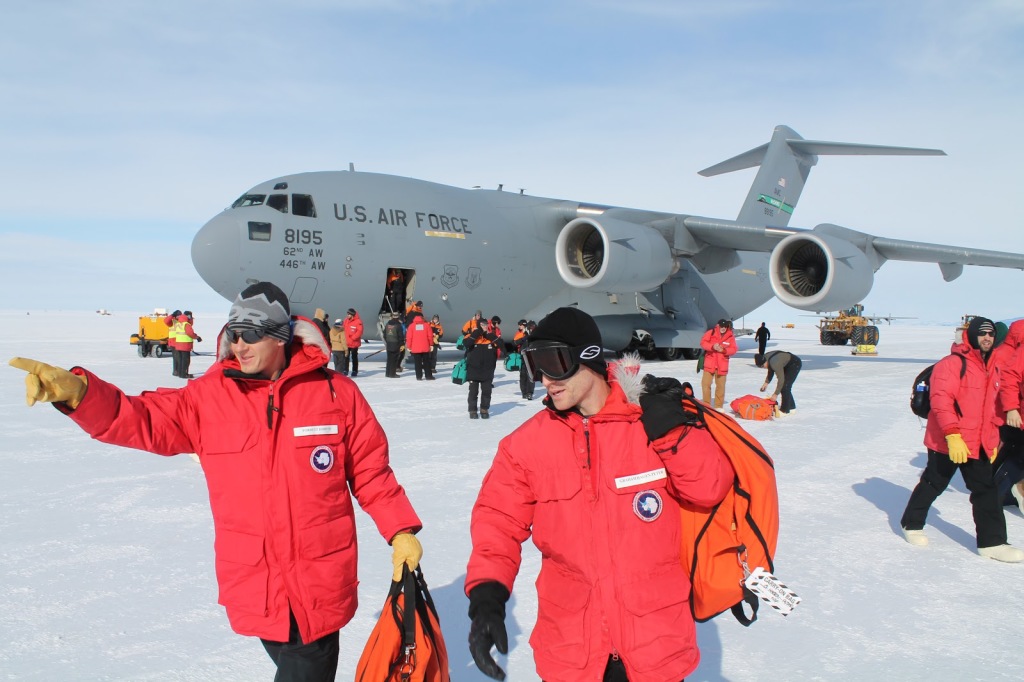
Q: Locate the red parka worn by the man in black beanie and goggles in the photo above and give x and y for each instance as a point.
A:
(601, 504)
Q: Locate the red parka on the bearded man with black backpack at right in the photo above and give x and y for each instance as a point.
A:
(974, 395)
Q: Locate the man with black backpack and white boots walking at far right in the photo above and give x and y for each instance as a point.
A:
(962, 436)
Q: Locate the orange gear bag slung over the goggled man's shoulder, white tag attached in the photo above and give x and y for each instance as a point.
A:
(721, 546)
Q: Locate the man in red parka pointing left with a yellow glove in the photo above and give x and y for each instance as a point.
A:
(282, 441)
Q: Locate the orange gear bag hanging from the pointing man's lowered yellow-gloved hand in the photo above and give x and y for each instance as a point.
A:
(406, 646)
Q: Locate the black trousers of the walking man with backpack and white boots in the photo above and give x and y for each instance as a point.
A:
(991, 526)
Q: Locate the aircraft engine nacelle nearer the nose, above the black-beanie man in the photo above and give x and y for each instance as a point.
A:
(613, 255)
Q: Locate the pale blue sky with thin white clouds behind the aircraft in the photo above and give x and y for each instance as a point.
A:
(127, 125)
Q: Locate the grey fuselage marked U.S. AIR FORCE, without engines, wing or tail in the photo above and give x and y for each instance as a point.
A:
(332, 240)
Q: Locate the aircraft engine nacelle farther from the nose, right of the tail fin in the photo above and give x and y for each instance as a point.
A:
(817, 272)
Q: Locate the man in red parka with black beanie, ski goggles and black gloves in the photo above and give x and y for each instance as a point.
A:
(596, 480)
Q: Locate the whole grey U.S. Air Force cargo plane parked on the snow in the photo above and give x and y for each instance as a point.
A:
(654, 281)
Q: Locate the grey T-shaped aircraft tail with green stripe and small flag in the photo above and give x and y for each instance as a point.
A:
(786, 162)
